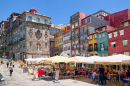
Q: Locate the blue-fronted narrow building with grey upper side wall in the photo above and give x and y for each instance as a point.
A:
(88, 27)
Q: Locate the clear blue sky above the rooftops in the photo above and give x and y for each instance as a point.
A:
(61, 10)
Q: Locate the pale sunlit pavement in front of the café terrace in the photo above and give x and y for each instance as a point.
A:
(19, 78)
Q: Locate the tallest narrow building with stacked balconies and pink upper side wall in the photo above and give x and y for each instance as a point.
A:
(75, 22)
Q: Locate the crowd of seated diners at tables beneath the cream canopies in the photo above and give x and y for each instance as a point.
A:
(99, 74)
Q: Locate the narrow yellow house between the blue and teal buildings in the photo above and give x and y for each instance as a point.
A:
(92, 44)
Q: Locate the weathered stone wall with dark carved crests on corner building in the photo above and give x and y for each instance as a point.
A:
(37, 40)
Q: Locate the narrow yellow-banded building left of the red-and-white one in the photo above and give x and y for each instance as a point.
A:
(58, 39)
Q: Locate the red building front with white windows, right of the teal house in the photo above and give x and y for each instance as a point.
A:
(119, 40)
